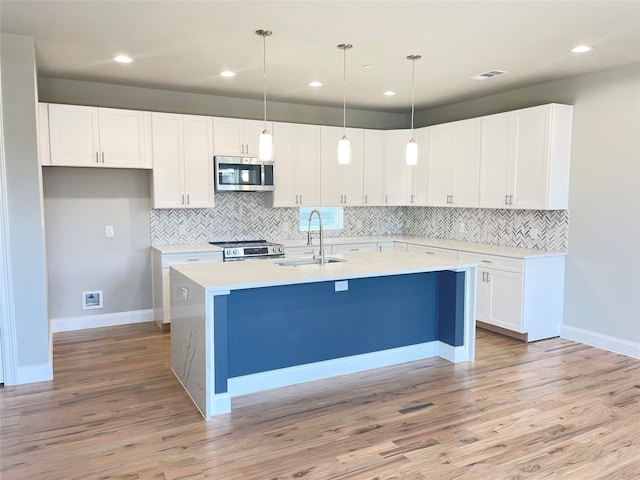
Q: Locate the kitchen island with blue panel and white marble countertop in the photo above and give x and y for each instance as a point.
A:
(243, 327)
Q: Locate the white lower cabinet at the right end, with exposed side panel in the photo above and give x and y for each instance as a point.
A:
(521, 295)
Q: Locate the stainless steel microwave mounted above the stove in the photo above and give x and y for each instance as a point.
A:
(243, 174)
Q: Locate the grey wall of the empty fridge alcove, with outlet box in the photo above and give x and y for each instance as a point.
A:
(79, 203)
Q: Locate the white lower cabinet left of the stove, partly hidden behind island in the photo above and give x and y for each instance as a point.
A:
(160, 263)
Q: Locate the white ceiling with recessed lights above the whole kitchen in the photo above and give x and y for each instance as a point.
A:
(183, 45)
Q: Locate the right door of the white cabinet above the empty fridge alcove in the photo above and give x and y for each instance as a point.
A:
(122, 138)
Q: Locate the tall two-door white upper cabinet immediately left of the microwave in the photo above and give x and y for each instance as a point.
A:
(182, 161)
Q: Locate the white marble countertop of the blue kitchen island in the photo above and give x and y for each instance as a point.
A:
(224, 277)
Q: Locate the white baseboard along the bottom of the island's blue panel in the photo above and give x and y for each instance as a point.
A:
(329, 368)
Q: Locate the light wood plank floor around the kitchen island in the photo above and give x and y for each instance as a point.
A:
(553, 409)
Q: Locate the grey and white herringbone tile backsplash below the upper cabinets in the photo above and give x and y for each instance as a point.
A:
(243, 215)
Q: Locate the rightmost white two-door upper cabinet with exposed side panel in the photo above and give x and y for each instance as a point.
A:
(525, 156)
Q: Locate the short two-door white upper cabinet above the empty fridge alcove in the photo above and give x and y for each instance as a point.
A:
(99, 137)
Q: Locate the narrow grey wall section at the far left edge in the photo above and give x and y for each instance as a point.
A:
(26, 262)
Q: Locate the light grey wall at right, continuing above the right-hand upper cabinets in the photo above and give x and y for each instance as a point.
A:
(602, 283)
